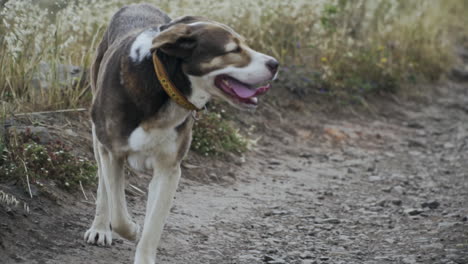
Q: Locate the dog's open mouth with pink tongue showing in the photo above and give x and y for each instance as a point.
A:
(242, 92)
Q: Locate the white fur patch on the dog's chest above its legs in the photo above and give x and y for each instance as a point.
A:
(147, 148)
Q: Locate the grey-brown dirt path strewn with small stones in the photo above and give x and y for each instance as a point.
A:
(387, 187)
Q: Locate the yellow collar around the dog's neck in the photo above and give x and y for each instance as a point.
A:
(169, 87)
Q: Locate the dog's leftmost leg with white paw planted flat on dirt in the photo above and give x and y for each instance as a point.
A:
(100, 232)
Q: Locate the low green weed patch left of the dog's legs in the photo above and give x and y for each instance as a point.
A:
(24, 156)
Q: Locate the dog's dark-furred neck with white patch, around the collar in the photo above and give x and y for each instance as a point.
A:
(149, 101)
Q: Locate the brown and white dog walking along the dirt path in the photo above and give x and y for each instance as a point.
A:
(135, 121)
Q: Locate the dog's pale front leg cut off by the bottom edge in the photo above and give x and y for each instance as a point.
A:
(161, 193)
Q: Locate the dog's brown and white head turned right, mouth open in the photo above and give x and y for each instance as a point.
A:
(217, 60)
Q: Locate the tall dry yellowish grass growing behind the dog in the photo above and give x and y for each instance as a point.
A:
(349, 47)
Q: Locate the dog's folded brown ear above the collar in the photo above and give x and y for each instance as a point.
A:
(177, 41)
